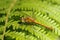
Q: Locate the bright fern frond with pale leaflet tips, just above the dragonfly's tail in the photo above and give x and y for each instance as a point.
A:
(44, 19)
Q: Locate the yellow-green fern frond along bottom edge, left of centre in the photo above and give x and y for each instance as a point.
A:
(20, 36)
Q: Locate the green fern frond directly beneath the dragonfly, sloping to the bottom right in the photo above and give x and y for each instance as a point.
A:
(37, 31)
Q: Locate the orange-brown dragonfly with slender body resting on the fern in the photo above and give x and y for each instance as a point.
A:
(30, 20)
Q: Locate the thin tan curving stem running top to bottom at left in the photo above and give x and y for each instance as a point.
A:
(6, 21)
